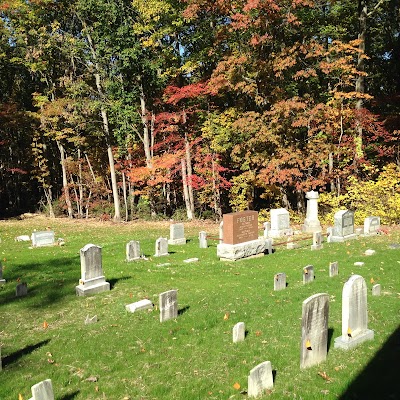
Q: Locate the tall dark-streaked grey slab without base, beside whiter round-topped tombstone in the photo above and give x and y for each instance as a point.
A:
(314, 330)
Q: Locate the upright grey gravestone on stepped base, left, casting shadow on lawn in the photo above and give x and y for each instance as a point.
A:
(92, 278)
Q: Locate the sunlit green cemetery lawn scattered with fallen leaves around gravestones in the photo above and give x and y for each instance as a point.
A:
(134, 356)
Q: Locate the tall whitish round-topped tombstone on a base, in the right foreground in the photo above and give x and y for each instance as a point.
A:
(354, 314)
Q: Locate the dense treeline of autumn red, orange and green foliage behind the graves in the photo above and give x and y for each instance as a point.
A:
(192, 108)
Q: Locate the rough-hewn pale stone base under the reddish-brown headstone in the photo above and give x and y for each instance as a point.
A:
(234, 252)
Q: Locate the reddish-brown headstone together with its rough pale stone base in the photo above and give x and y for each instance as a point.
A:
(240, 237)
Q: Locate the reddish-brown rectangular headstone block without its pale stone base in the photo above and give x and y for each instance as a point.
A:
(240, 227)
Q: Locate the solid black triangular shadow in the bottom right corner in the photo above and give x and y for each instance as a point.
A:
(380, 378)
